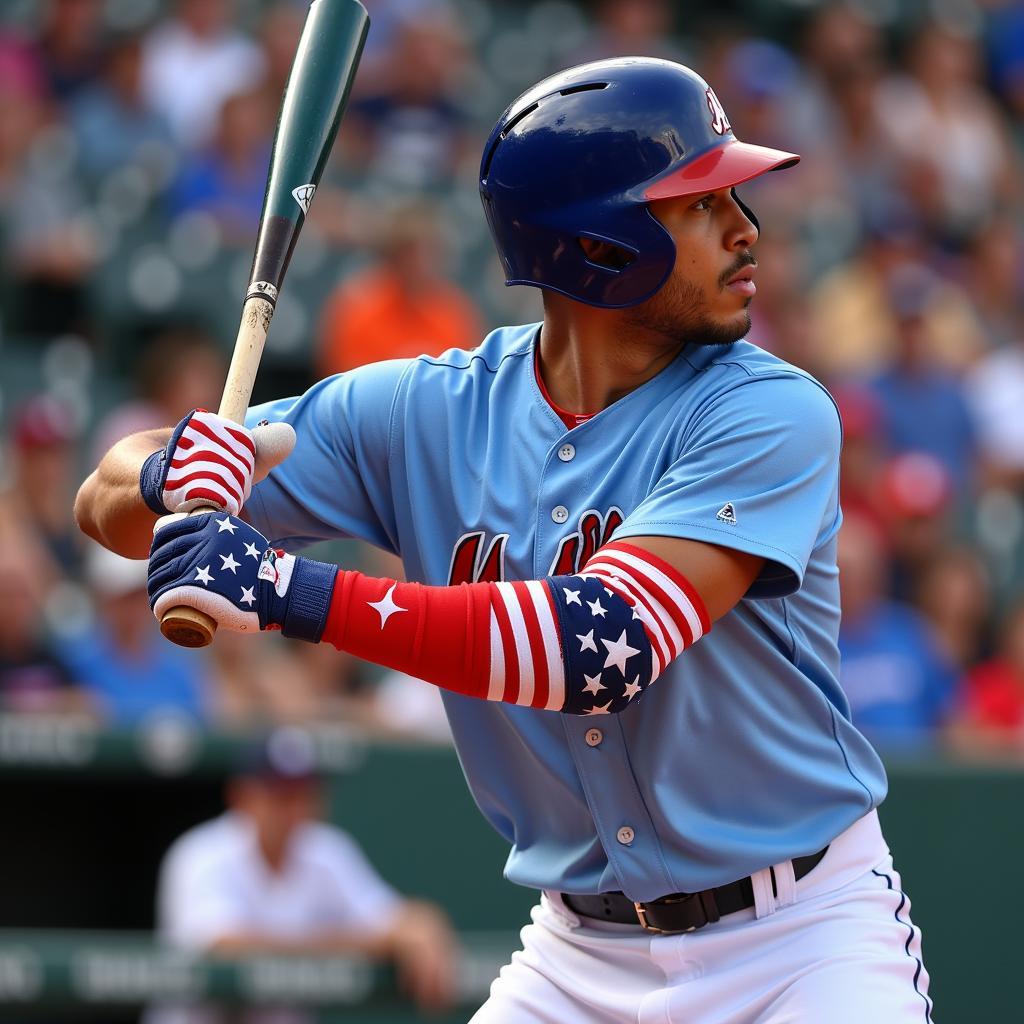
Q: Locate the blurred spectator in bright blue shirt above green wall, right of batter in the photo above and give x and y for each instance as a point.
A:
(900, 684)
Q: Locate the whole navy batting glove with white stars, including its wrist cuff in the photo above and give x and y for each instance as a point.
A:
(223, 567)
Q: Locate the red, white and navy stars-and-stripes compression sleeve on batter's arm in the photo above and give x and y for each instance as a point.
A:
(590, 644)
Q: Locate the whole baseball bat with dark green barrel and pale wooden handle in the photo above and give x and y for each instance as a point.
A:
(318, 90)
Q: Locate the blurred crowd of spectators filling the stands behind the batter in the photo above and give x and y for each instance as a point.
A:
(135, 140)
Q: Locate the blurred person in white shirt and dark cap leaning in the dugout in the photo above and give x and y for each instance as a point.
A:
(268, 878)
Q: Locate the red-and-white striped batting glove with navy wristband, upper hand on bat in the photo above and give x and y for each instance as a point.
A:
(211, 461)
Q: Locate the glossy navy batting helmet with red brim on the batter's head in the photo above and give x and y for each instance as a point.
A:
(583, 153)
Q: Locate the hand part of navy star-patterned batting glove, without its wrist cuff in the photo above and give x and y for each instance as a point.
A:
(219, 565)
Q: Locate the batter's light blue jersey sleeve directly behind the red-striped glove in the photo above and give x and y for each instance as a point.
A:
(337, 483)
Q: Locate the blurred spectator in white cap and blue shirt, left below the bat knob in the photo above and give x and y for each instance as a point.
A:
(121, 660)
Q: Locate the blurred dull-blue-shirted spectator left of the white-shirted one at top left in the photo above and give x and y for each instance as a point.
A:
(113, 125)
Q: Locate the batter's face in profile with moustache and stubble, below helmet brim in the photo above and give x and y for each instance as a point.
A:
(706, 298)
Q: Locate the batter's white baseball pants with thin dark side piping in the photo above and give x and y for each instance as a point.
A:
(837, 947)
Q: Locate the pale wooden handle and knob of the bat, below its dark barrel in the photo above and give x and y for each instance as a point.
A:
(182, 625)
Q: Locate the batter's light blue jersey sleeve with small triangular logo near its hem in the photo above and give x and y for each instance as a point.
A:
(769, 448)
